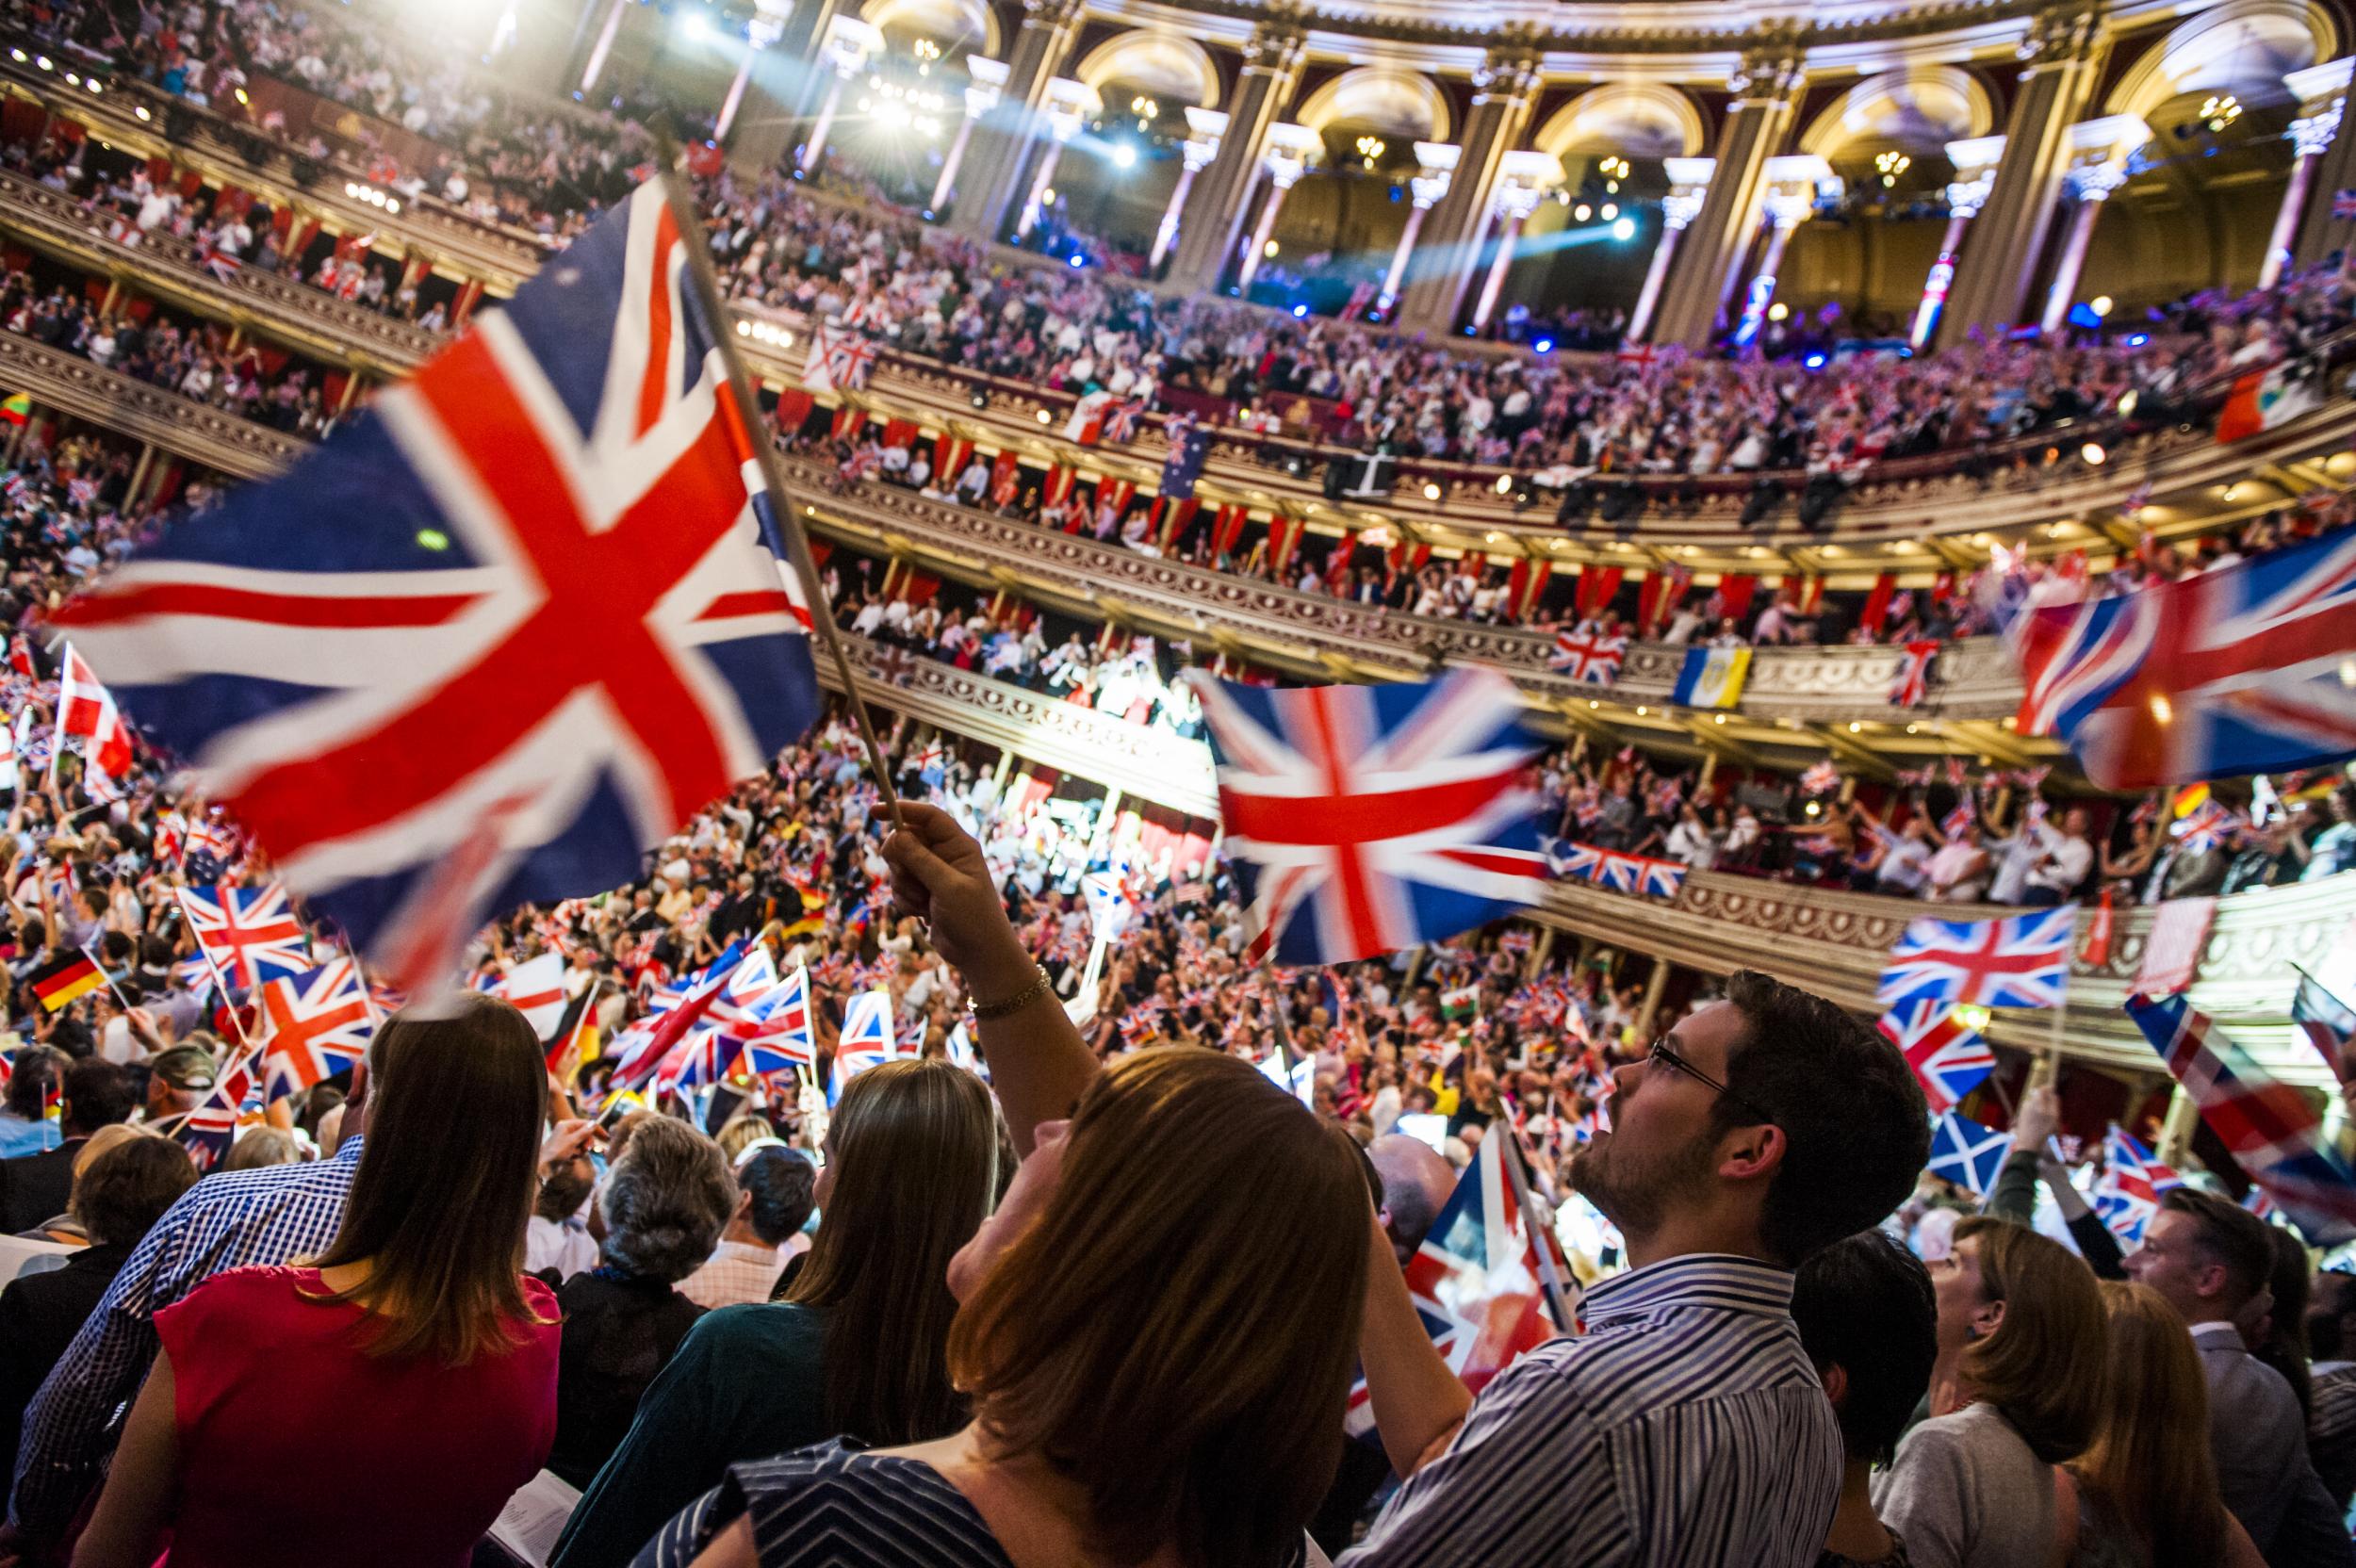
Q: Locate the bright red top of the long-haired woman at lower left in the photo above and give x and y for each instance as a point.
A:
(298, 1449)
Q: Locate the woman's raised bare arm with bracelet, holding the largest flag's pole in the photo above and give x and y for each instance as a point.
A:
(1038, 1063)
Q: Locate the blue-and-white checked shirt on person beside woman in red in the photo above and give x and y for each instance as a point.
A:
(223, 1223)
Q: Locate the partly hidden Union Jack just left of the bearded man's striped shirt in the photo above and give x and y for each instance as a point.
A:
(1490, 1284)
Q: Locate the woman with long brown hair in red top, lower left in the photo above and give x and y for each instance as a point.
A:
(380, 1404)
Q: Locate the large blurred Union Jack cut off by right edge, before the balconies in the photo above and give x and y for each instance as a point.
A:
(2211, 677)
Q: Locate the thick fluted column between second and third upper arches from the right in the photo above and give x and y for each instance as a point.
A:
(1766, 88)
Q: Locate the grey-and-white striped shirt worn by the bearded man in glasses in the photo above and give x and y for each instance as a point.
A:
(1686, 1426)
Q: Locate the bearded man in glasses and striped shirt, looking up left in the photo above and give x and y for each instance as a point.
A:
(1686, 1423)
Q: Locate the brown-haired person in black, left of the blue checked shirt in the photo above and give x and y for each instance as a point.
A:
(119, 1195)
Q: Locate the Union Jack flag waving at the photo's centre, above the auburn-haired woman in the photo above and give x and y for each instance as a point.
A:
(1370, 818)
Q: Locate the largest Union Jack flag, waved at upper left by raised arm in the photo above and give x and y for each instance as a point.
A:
(496, 637)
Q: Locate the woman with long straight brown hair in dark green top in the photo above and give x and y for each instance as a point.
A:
(859, 1346)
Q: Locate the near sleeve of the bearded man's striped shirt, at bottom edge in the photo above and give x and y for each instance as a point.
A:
(1526, 1482)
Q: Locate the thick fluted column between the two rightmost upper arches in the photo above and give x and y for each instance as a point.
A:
(2063, 65)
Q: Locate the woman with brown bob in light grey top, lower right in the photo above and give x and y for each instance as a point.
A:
(2013, 1395)
